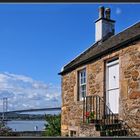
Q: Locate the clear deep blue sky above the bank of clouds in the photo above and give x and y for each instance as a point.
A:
(36, 40)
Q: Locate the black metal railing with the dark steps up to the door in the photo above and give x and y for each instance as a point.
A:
(95, 110)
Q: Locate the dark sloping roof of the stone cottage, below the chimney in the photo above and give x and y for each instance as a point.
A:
(101, 48)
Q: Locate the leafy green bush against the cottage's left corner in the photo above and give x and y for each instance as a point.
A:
(53, 125)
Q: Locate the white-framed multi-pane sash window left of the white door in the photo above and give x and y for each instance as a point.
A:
(81, 84)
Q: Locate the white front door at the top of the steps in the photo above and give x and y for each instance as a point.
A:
(112, 86)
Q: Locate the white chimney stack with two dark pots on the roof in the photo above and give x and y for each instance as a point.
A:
(104, 26)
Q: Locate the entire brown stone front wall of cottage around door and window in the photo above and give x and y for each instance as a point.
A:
(129, 107)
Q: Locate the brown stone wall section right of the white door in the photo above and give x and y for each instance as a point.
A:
(130, 86)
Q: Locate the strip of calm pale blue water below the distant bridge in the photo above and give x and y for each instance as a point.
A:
(26, 125)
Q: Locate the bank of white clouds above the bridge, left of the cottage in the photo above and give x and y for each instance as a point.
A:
(24, 92)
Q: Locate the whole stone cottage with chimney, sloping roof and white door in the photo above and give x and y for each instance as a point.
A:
(101, 87)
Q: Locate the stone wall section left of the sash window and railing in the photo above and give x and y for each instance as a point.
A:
(71, 110)
